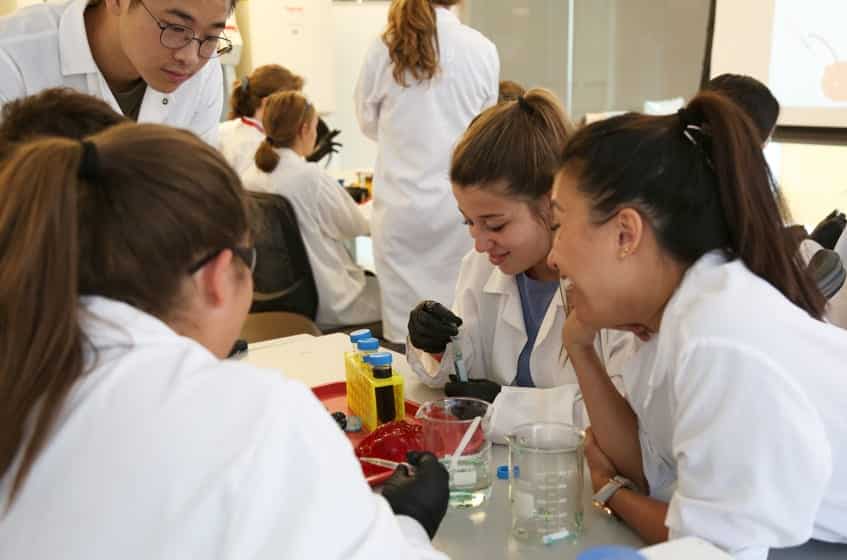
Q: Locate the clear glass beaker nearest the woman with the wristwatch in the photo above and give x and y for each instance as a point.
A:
(545, 489)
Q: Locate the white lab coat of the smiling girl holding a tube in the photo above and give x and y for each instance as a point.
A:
(491, 339)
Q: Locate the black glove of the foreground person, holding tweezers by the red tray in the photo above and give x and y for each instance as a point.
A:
(423, 496)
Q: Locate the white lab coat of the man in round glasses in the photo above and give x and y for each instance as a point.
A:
(46, 45)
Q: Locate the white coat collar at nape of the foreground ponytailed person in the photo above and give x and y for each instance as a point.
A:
(109, 323)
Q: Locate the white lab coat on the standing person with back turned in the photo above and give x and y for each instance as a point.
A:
(418, 236)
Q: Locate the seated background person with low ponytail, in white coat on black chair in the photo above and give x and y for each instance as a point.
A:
(326, 213)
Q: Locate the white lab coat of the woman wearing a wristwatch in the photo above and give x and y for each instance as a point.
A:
(741, 402)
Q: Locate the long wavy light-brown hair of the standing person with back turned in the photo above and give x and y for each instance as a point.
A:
(412, 38)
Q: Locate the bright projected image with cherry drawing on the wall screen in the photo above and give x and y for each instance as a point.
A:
(808, 65)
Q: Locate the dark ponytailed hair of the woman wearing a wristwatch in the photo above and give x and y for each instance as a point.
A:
(702, 182)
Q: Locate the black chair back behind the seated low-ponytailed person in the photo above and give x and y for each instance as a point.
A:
(283, 279)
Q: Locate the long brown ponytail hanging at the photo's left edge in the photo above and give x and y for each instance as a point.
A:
(40, 337)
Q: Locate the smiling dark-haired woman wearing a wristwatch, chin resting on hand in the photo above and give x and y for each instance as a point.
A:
(668, 226)
